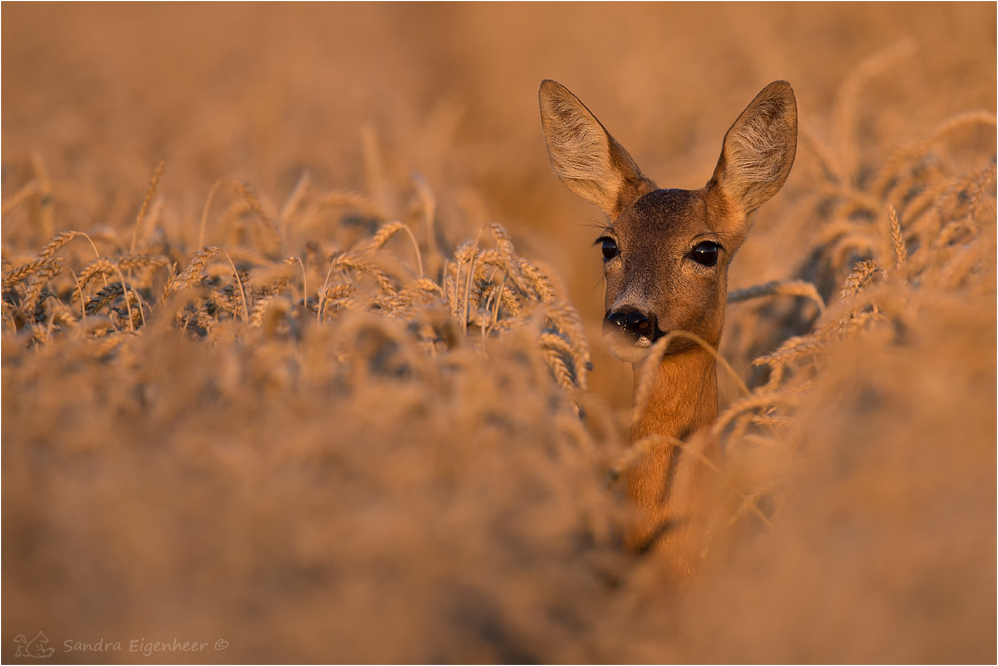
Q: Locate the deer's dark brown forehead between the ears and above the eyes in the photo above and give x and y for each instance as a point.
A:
(666, 215)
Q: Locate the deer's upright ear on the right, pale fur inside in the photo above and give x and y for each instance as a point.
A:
(759, 149)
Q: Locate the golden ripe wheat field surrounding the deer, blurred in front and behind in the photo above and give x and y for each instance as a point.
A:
(301, 343)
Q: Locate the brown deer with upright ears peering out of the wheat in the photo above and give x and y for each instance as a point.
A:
(666, 254)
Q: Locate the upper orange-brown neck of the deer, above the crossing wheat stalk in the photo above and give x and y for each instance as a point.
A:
(683, 398)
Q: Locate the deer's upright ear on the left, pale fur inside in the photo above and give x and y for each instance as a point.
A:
(584, 155)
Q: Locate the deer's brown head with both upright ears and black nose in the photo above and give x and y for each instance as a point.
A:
(666, 251)
